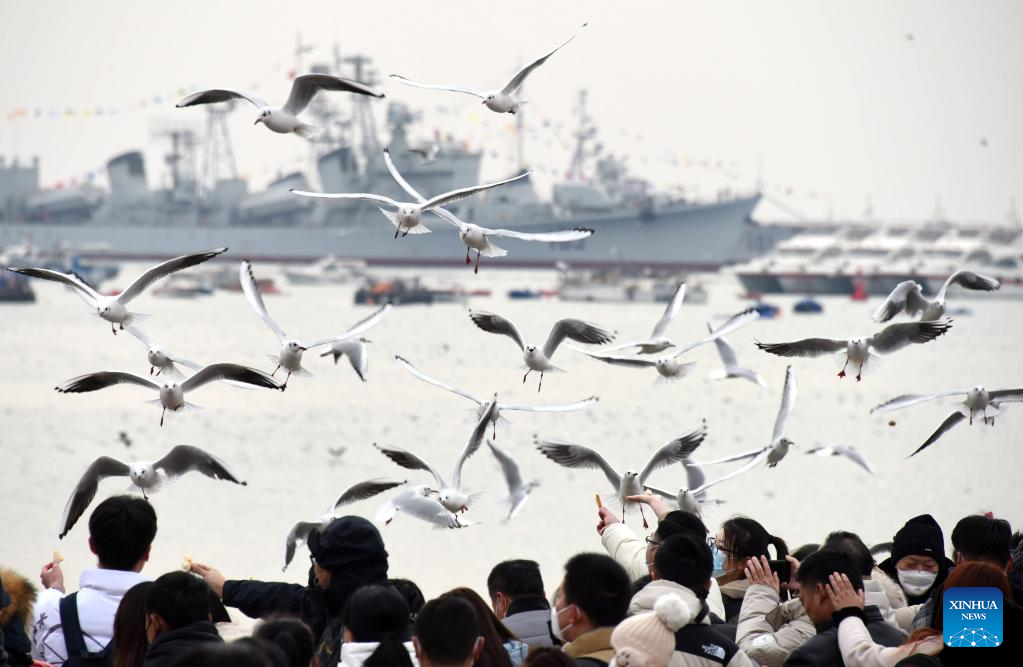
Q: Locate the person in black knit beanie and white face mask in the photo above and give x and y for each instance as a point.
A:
(918, 562)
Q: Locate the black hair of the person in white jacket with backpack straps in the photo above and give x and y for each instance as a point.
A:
(122, 528)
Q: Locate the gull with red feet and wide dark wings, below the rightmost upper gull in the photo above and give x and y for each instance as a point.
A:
(865, 351)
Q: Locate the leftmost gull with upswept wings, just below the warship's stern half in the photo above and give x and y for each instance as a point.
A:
(115, 309)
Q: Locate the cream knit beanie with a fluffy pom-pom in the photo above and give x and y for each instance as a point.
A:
(649, 640)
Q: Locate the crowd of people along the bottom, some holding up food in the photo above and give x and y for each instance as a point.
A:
(683, 596)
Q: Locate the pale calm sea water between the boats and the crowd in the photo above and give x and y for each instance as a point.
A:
(280, 442)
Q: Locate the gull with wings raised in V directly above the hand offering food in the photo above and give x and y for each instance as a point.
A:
(629, 483)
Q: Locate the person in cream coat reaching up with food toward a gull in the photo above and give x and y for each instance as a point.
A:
(637, 554)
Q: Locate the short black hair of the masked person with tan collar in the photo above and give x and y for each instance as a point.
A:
(599, 587)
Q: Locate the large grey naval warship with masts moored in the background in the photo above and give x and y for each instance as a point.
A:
(206, 204)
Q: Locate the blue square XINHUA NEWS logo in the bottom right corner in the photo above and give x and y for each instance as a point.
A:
(972, 617)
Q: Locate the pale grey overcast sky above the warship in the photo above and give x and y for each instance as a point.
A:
(829, 99)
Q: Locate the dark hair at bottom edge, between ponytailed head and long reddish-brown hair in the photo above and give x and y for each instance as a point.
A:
(447, 630)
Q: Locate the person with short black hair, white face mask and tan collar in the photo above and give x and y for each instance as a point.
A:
(593, 599)
